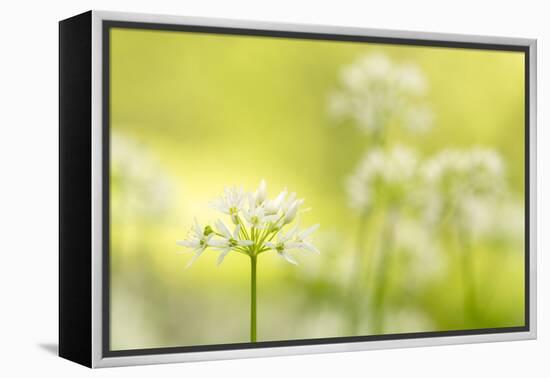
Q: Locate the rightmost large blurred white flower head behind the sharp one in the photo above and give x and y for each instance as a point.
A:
(458, 182)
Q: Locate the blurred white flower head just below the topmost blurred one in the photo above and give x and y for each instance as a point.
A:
(381, 173)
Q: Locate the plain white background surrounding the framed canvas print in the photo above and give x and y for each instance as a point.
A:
(28, 171)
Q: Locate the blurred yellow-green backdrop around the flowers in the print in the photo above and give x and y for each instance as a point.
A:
(192, 113)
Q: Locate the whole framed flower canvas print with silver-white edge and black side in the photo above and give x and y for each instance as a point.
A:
(238, 189)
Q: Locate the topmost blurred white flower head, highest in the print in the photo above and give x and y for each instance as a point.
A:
(374, 92)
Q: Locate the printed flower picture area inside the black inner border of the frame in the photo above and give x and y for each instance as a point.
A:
(276, 189)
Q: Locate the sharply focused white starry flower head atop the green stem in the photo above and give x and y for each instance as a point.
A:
(259, 225)
